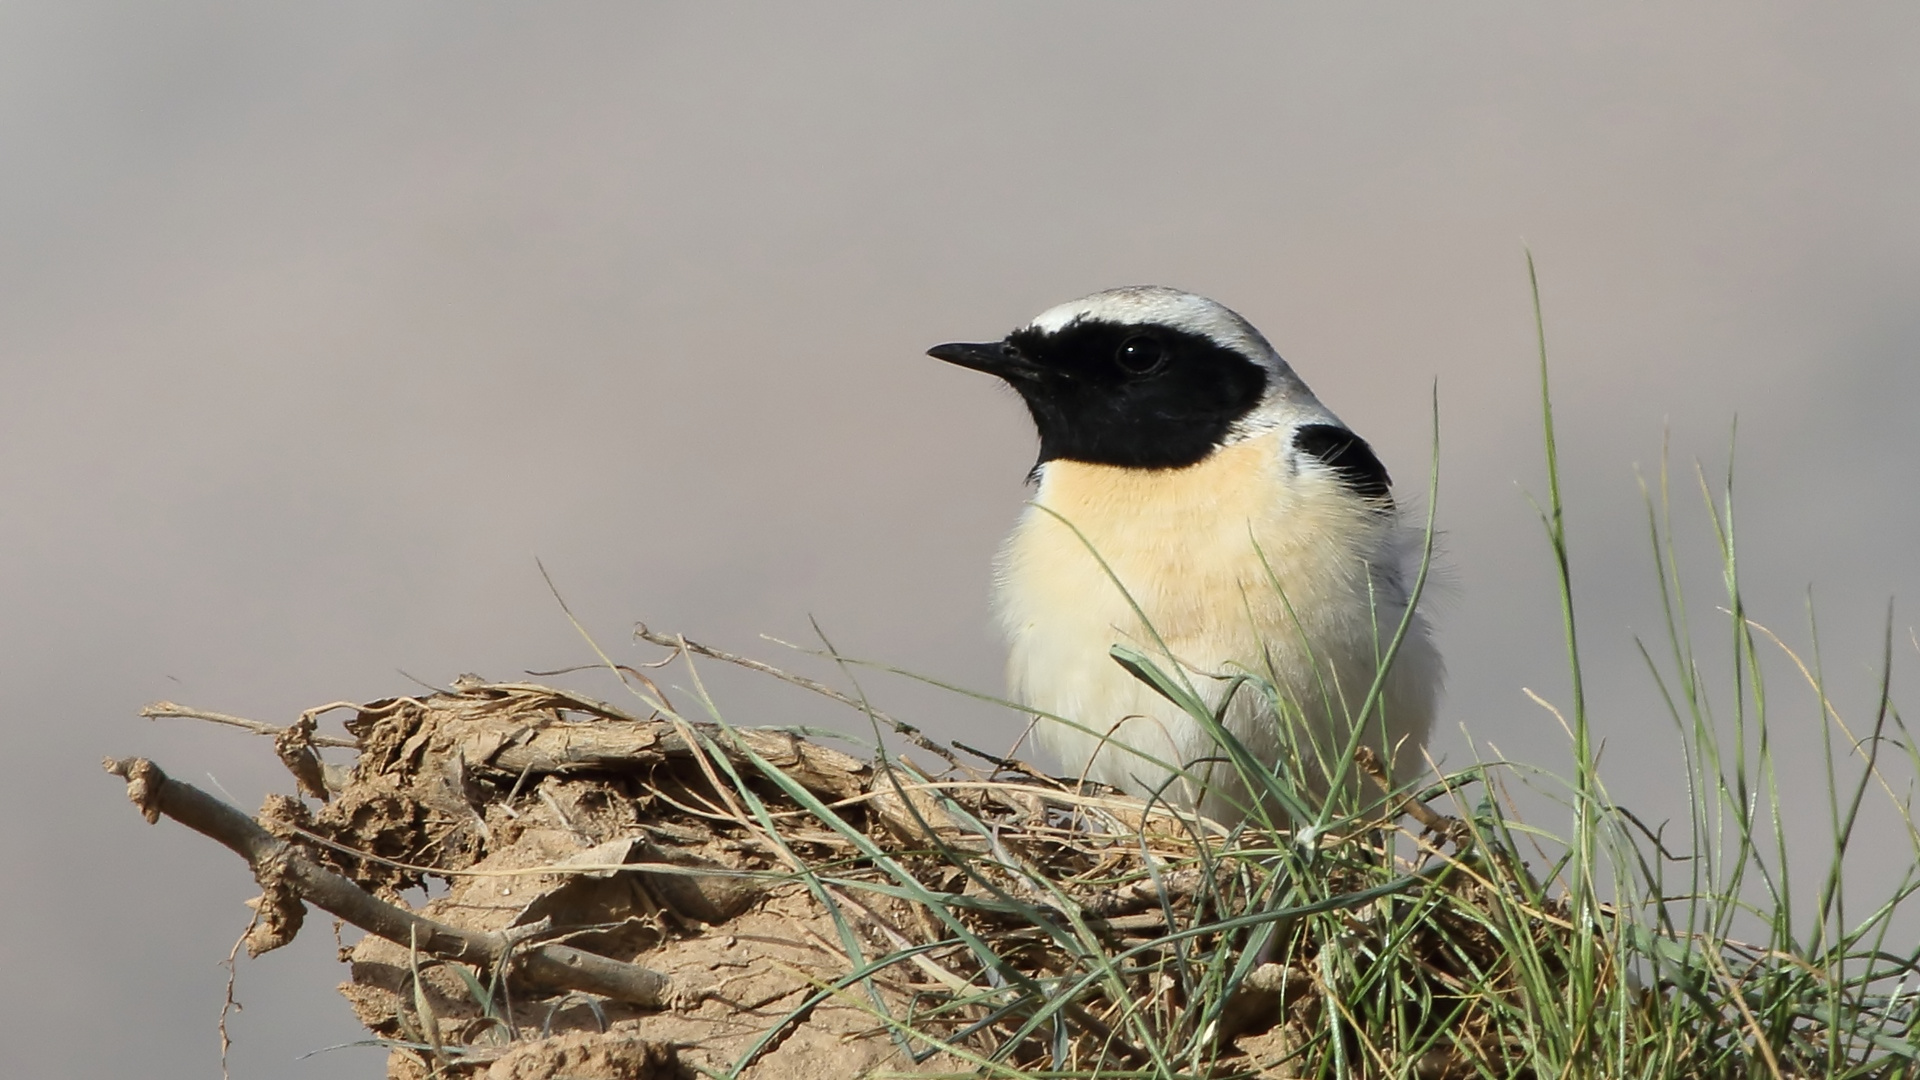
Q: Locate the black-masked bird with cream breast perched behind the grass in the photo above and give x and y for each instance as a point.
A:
(1199, 506)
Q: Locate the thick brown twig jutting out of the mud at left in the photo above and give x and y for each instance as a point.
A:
(281, 866)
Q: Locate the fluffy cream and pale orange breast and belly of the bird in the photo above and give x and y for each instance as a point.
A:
(1241, 566)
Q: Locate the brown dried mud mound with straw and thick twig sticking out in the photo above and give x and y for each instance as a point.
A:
(638, 896)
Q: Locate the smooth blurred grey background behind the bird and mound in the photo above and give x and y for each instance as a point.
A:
(322, 322)
